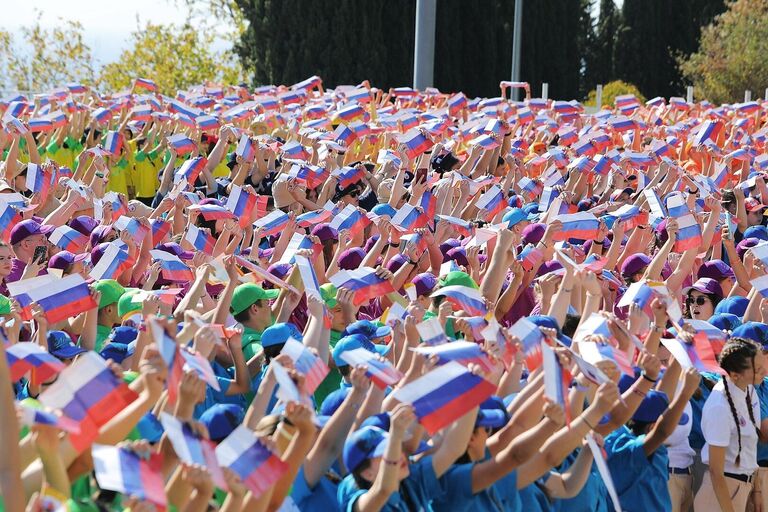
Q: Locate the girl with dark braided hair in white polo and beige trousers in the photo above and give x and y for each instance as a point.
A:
(728, 422)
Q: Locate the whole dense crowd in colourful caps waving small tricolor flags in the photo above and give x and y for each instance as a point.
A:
(300, 298)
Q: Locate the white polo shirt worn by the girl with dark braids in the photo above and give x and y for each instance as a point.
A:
(719, 427)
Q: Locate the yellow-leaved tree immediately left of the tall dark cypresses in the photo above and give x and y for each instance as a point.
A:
(174, 56)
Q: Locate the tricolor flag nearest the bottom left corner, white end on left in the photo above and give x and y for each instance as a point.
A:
(127, 472)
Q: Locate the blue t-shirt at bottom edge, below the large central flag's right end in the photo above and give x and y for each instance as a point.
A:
(457, 492)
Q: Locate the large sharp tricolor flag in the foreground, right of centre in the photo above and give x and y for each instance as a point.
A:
(444, 395)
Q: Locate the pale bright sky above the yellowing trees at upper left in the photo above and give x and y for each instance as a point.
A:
(107, 25)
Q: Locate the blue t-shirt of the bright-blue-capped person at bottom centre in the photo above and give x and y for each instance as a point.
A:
(415, 493)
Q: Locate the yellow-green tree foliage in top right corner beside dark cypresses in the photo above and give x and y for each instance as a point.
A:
(731, 58)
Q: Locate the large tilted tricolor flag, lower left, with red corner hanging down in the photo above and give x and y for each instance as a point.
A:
(89, 393)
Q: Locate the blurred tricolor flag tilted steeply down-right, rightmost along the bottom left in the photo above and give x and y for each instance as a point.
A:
(254, 462)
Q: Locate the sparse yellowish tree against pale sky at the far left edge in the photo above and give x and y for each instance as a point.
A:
(41, 59)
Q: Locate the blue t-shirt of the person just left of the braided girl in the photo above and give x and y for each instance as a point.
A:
(640, 481)
